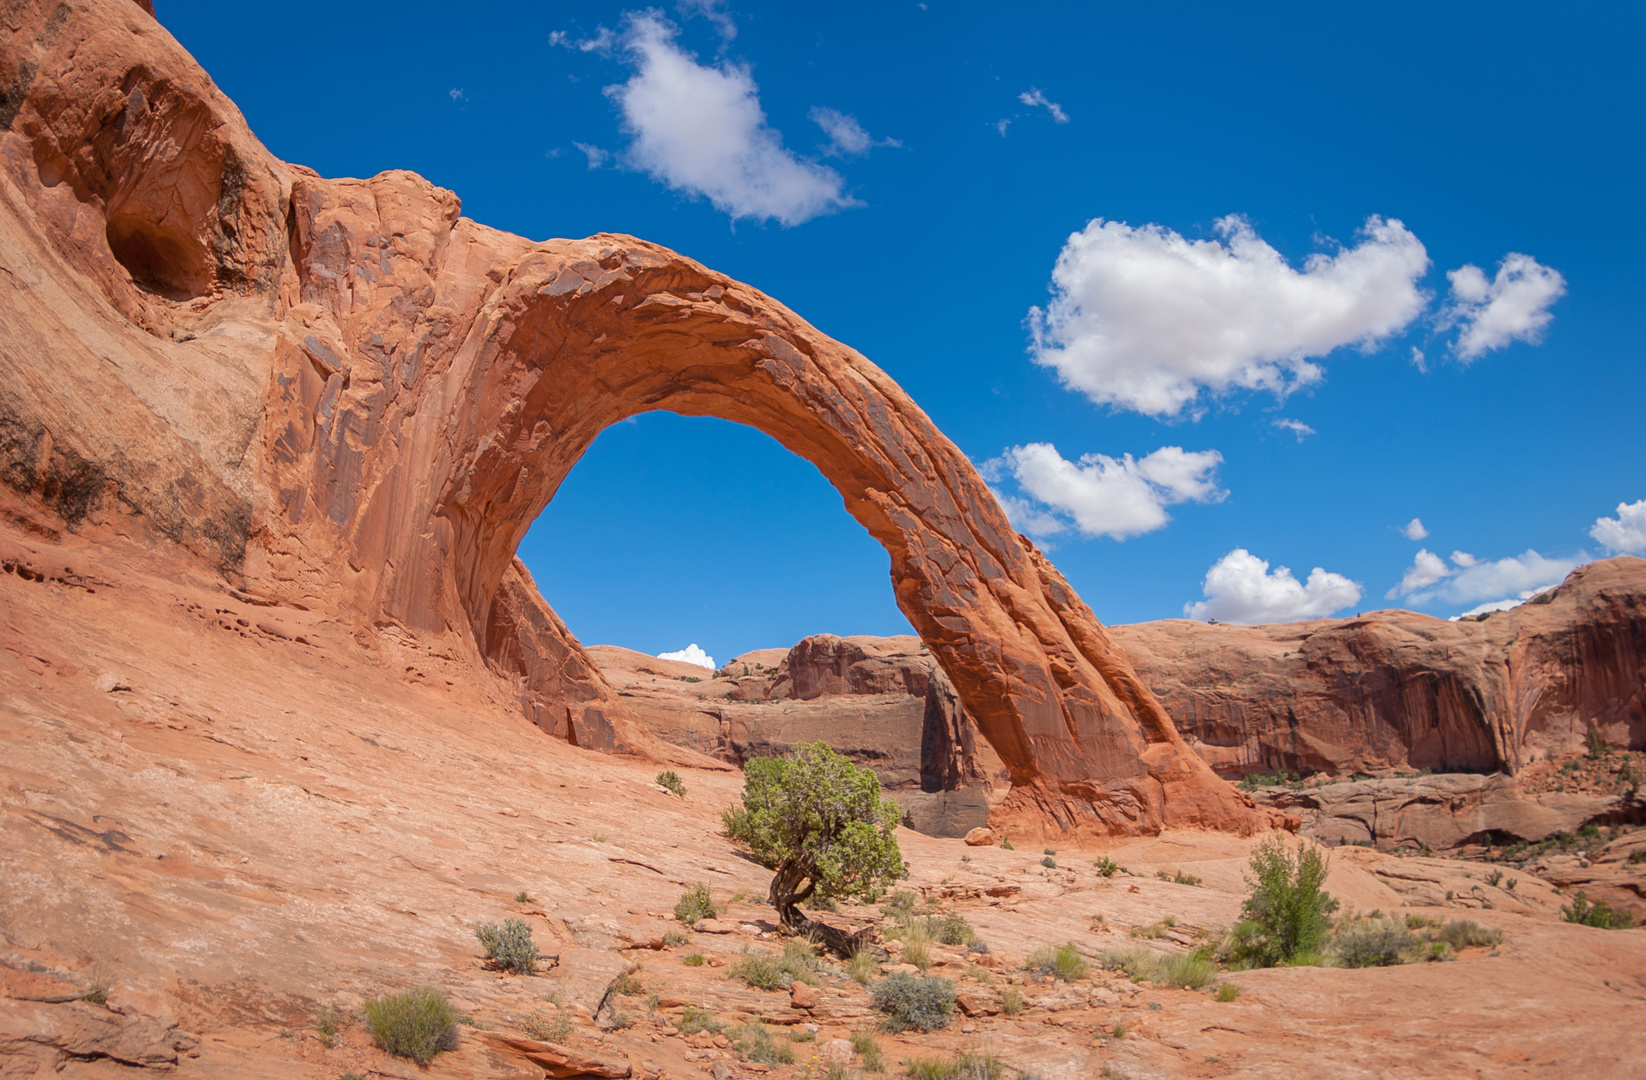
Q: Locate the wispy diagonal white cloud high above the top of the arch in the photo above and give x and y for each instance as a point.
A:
(700, 129)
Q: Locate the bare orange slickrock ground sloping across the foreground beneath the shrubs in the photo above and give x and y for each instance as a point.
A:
(231, 817)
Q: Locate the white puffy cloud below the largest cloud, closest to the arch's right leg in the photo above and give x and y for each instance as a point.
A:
(1102, 496)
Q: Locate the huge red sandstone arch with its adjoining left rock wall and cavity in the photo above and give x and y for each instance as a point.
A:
(348, 398)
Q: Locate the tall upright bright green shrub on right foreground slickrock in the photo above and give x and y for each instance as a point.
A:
(1286, 916)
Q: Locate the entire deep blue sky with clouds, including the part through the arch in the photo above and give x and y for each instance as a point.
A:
(1207, 291)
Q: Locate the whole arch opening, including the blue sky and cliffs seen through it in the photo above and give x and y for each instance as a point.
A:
(679, 531)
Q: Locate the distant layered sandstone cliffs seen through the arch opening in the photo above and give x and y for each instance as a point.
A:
(883, 702)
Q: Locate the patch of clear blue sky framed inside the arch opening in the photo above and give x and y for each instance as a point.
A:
(674, 531)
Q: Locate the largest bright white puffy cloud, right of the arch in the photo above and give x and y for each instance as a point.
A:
(1143, 319)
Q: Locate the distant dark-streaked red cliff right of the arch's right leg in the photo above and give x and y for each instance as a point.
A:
(1402, 691)
